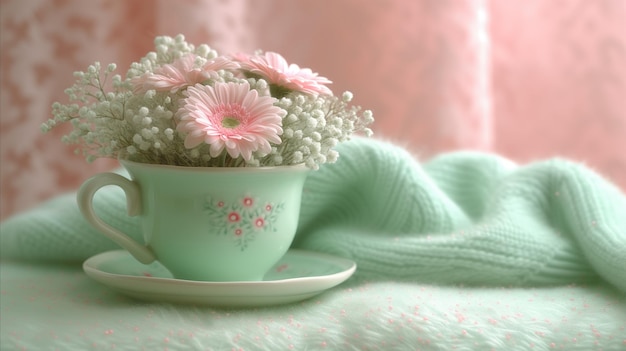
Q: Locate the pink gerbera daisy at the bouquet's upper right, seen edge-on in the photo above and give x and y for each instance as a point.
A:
(275, 69)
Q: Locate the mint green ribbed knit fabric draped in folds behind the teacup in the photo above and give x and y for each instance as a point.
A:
(459, 218)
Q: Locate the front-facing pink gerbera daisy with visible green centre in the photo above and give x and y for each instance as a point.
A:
(230, 116)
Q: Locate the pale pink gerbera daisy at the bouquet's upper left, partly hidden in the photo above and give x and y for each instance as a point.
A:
(181, 73)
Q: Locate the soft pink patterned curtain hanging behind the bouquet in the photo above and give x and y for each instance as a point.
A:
(526, 79)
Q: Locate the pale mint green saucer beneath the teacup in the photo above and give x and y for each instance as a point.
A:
(299, 275)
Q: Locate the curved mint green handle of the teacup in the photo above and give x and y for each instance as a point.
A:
(133, 202)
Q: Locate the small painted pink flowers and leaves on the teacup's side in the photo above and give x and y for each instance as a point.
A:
(243, 219)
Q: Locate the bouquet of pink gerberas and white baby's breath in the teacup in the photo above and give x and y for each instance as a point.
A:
(185, 105)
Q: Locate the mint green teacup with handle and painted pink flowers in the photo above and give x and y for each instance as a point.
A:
(209, 224)
